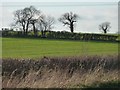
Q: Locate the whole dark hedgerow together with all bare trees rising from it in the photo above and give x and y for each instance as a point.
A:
(32, 22)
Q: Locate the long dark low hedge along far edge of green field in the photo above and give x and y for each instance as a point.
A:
(64, 35)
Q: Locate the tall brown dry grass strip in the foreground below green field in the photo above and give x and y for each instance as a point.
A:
(64, 72)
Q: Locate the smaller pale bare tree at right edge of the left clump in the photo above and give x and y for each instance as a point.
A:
(46, 24)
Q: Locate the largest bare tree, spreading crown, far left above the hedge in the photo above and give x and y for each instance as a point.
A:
(25, 17)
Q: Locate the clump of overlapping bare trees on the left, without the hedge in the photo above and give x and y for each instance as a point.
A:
(32, 19)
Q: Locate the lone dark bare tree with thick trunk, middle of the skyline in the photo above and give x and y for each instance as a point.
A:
(69, 19)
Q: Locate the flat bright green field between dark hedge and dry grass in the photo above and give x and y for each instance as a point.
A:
(35, 48)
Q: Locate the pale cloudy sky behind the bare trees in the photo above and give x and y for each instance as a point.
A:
(91, 13)
